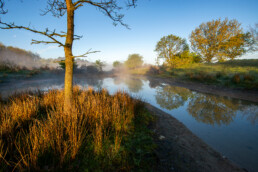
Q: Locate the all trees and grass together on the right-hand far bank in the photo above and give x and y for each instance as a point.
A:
(215, 46)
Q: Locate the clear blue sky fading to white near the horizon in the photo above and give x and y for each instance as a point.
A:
(149, 21)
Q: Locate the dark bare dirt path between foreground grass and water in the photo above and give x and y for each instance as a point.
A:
(180, 150)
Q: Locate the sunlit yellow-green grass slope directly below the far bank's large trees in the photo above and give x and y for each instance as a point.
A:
(235, 74)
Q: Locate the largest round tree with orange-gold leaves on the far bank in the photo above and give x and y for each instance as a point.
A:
(220, 39)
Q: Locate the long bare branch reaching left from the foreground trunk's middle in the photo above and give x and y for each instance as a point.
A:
(48, 34)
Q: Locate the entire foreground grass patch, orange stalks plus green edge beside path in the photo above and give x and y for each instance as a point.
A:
(103, 133)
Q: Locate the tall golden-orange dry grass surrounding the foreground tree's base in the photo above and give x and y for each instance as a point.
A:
(36, 134)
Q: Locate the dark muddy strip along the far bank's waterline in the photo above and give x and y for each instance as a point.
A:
(249, 95)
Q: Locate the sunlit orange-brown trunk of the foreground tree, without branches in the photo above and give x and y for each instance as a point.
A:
(68, 84)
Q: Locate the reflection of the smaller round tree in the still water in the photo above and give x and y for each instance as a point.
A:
(172, 97)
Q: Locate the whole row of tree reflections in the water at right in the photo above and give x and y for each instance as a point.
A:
(209, 109)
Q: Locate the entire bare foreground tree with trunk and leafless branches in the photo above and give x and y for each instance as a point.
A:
(58, 8)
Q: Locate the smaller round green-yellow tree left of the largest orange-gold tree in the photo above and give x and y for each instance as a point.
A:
(173, 49)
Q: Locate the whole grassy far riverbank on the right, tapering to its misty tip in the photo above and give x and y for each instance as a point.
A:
(236, 74)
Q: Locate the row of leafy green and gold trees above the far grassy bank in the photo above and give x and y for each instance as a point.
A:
(216, 40)
